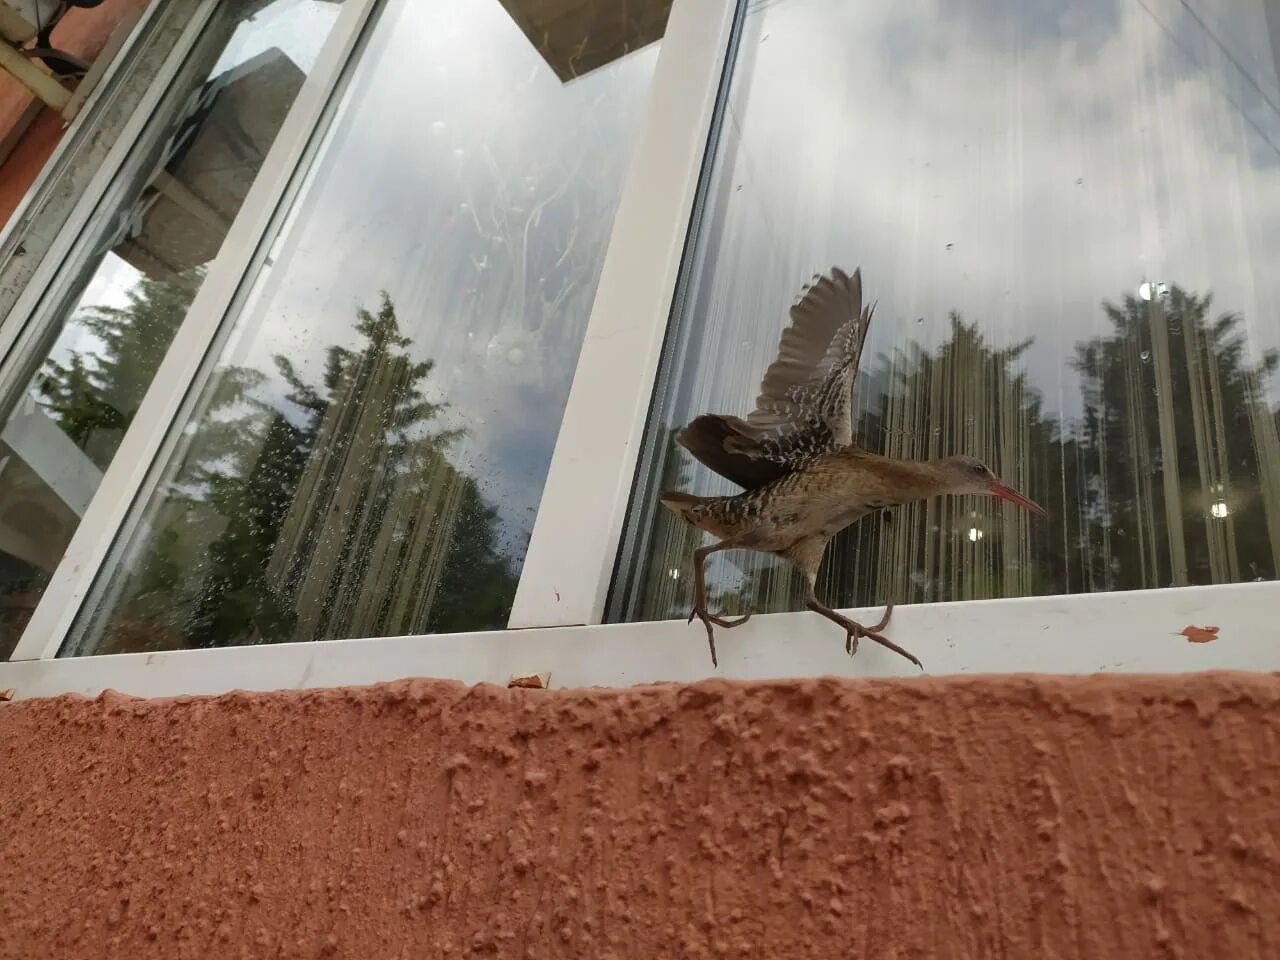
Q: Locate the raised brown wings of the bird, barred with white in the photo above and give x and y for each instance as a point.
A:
(806, 404)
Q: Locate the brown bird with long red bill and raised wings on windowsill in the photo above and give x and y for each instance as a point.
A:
(803, 477)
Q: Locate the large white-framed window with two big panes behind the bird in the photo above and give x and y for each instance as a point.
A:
(445, 266)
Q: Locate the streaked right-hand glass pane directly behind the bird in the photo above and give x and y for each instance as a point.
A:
(1069, 214)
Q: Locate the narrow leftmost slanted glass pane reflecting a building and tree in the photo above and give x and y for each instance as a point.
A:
(107, 322)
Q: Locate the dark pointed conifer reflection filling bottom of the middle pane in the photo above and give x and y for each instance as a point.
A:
(335, 516)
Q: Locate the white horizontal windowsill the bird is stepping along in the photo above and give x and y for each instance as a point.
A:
(1121, 633)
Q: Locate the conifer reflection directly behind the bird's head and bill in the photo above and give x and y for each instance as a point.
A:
(964, 397)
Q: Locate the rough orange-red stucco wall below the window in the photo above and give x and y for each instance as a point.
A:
(934, 819)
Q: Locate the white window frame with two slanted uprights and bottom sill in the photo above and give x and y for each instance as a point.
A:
(556, 623)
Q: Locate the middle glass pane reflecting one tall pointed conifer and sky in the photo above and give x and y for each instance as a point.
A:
(368, 455)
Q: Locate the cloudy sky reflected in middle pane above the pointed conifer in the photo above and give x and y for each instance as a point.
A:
(476, 189)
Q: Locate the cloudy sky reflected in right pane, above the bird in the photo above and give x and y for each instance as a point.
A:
(1020, 162)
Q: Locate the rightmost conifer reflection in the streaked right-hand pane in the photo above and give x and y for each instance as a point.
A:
(1177, 429)
